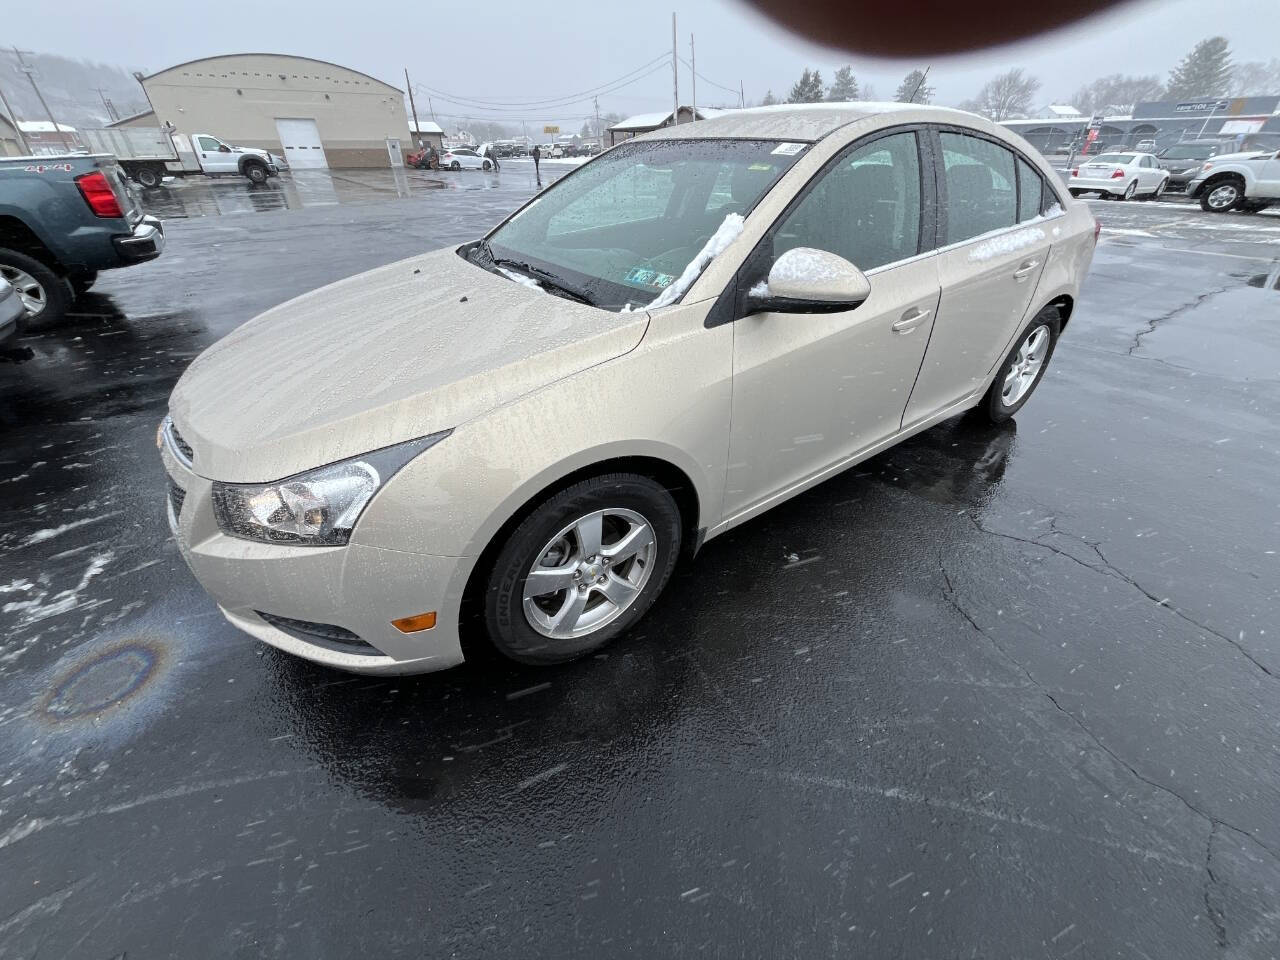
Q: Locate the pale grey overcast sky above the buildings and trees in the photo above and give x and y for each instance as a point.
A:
(522, 51)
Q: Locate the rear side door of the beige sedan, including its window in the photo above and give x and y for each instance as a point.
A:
(990, 264)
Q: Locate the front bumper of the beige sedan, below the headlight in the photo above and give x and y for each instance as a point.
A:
(358, 588)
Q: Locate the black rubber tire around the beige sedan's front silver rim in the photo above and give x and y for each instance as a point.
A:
(505, 620)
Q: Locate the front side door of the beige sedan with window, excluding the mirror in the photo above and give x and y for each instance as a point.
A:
(813, 390)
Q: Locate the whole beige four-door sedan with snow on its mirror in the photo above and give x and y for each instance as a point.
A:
(525, 433)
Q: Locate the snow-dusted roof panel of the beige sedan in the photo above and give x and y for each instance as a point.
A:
(798, 122)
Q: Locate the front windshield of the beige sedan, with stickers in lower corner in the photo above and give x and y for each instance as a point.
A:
(624, 227)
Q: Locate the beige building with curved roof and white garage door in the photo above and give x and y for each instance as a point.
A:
(313, 113)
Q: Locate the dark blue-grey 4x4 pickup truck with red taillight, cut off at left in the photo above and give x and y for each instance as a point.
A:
(62, 221)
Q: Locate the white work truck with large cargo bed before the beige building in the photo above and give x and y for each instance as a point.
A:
(150, 154)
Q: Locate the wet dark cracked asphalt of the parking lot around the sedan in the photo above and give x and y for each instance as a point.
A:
(999, 693)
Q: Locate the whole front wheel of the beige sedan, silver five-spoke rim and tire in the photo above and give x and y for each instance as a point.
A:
(582, 569)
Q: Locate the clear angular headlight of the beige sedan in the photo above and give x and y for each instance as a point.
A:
(314, 509)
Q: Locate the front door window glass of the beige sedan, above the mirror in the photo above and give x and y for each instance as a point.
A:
(866, 208)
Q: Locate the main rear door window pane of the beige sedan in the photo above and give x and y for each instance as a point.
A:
(981, 193)
